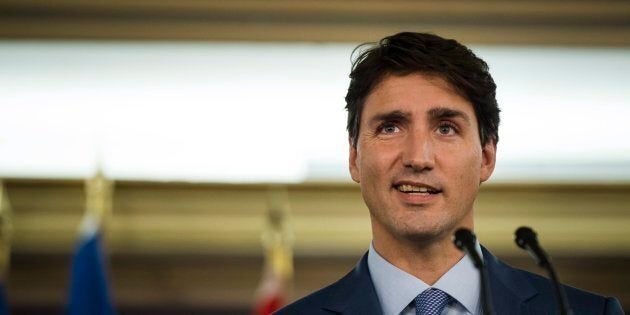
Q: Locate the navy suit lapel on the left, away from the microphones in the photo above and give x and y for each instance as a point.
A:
(354, 294)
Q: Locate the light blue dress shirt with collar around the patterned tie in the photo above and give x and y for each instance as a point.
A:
(396, 289)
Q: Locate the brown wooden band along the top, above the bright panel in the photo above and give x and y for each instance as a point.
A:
(571, 22)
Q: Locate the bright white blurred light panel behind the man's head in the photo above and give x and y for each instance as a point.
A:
(226, 112)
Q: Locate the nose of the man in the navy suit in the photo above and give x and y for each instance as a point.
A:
(418, 153)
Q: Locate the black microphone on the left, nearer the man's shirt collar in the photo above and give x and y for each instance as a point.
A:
(465, 240)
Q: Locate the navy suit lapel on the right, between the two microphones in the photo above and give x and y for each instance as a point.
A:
(510, 290)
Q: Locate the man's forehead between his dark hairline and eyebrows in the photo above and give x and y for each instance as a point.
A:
(415, 93)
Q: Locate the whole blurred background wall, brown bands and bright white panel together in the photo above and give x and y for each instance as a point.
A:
(209, 116)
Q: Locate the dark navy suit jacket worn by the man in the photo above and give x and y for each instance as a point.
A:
(514, 292)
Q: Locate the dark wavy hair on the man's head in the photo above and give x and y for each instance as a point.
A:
(406, 53)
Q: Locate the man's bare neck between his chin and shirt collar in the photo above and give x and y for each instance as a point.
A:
(427, 260)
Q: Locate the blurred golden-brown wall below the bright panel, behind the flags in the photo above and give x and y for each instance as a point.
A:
(179, 247)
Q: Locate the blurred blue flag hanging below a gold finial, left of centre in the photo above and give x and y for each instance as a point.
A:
(89, 289)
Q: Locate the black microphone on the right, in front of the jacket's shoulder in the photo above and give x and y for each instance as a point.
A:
(527, 239)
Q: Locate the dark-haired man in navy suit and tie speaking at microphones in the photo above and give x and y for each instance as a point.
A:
(423, 128)
